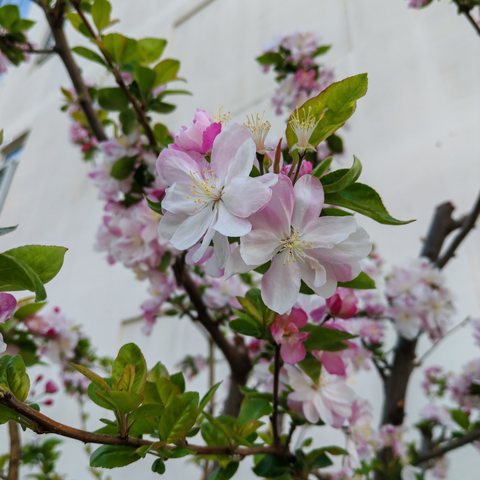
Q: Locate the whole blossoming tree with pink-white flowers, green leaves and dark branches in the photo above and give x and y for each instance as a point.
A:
(259, 245)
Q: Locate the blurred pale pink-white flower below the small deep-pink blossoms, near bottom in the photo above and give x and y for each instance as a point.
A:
(330, 399)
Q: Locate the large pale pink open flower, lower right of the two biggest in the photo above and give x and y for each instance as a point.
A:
(301, 245)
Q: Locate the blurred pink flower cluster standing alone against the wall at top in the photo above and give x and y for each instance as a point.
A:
(298, 73)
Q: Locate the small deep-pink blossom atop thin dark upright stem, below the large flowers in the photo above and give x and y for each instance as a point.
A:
(286, 333)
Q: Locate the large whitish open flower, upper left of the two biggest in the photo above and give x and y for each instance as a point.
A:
(206, 199)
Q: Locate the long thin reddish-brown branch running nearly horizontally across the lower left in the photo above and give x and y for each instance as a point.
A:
(44, 424)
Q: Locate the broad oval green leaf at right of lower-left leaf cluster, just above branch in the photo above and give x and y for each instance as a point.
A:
(180, 415)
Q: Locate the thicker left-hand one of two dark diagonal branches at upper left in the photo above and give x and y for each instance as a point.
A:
(55, 18)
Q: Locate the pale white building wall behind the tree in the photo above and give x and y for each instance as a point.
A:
(416, 132)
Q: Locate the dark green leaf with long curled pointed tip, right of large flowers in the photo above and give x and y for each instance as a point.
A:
(365, 200)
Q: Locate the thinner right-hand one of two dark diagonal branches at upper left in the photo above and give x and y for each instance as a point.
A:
(142, 118)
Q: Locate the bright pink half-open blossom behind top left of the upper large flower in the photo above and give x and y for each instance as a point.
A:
(199, 136)
